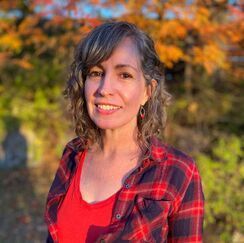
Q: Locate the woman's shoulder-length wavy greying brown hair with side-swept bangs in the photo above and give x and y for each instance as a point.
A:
(96, 47)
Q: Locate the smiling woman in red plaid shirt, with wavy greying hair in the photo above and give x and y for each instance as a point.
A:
(117, 182)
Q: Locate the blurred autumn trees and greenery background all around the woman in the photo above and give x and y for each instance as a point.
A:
(201, 44)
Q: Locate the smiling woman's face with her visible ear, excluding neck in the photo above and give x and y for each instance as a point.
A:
(115, 89)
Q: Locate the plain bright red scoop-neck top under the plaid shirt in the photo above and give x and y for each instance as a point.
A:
(79, 221)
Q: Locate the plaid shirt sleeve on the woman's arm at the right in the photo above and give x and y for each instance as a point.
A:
(186, 224)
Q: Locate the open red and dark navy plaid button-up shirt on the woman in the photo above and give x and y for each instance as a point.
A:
(161, 201)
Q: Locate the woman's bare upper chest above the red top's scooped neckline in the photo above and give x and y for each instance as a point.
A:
(101, 179)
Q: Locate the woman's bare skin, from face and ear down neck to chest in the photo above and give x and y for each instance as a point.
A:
(119, 82)
